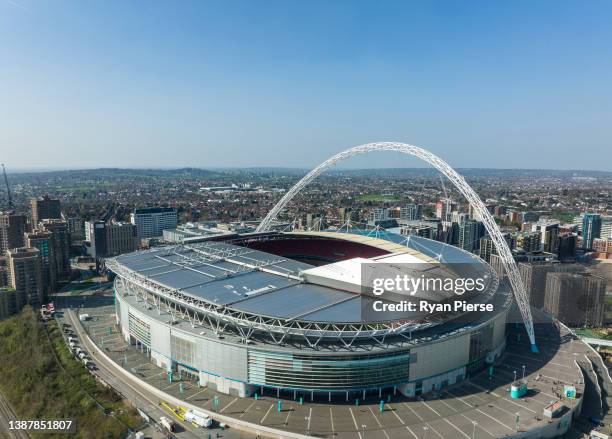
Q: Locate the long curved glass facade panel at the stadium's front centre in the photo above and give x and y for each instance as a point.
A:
(327, 373)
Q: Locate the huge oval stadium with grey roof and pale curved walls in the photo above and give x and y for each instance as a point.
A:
(283, 312)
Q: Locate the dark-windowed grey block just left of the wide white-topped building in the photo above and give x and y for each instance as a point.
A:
(109, 240)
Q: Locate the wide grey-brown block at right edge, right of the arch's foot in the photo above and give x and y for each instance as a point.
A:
(576, 299)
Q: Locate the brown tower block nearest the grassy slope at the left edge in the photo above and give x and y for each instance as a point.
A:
(25, 276)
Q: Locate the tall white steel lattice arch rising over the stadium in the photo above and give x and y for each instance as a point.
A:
(482, 213)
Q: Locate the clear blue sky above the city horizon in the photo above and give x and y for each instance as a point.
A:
(264, 83)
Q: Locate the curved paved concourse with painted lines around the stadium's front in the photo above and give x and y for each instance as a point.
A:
(479, 407)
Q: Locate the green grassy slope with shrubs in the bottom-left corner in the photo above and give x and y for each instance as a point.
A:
(42, 380)
